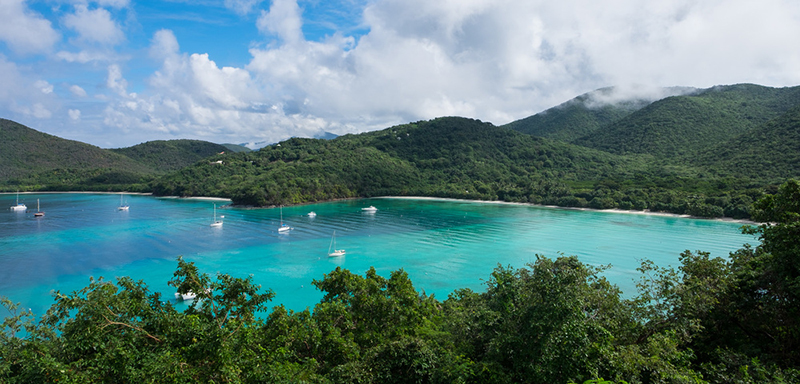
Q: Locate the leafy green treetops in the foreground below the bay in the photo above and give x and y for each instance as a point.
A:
(712, 320)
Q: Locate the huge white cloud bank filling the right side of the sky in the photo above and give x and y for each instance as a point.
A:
(501, 60)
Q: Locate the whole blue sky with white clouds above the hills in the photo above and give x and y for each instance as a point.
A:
(116, 73)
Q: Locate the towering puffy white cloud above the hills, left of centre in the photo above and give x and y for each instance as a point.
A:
(191, 93)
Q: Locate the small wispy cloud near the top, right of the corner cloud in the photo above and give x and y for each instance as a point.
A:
(94, 26)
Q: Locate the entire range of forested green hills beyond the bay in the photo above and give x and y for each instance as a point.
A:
(709, 153)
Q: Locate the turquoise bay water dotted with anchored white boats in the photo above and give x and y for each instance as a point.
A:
(442, 245)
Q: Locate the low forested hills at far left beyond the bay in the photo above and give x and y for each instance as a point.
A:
(32, 160)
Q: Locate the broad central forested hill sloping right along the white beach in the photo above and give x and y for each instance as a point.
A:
(458, 158)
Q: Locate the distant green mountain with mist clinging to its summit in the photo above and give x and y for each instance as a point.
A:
(584, 114)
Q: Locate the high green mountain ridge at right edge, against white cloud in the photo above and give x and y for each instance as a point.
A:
(681, 125)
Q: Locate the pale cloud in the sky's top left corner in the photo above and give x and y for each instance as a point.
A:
(25, 31)
